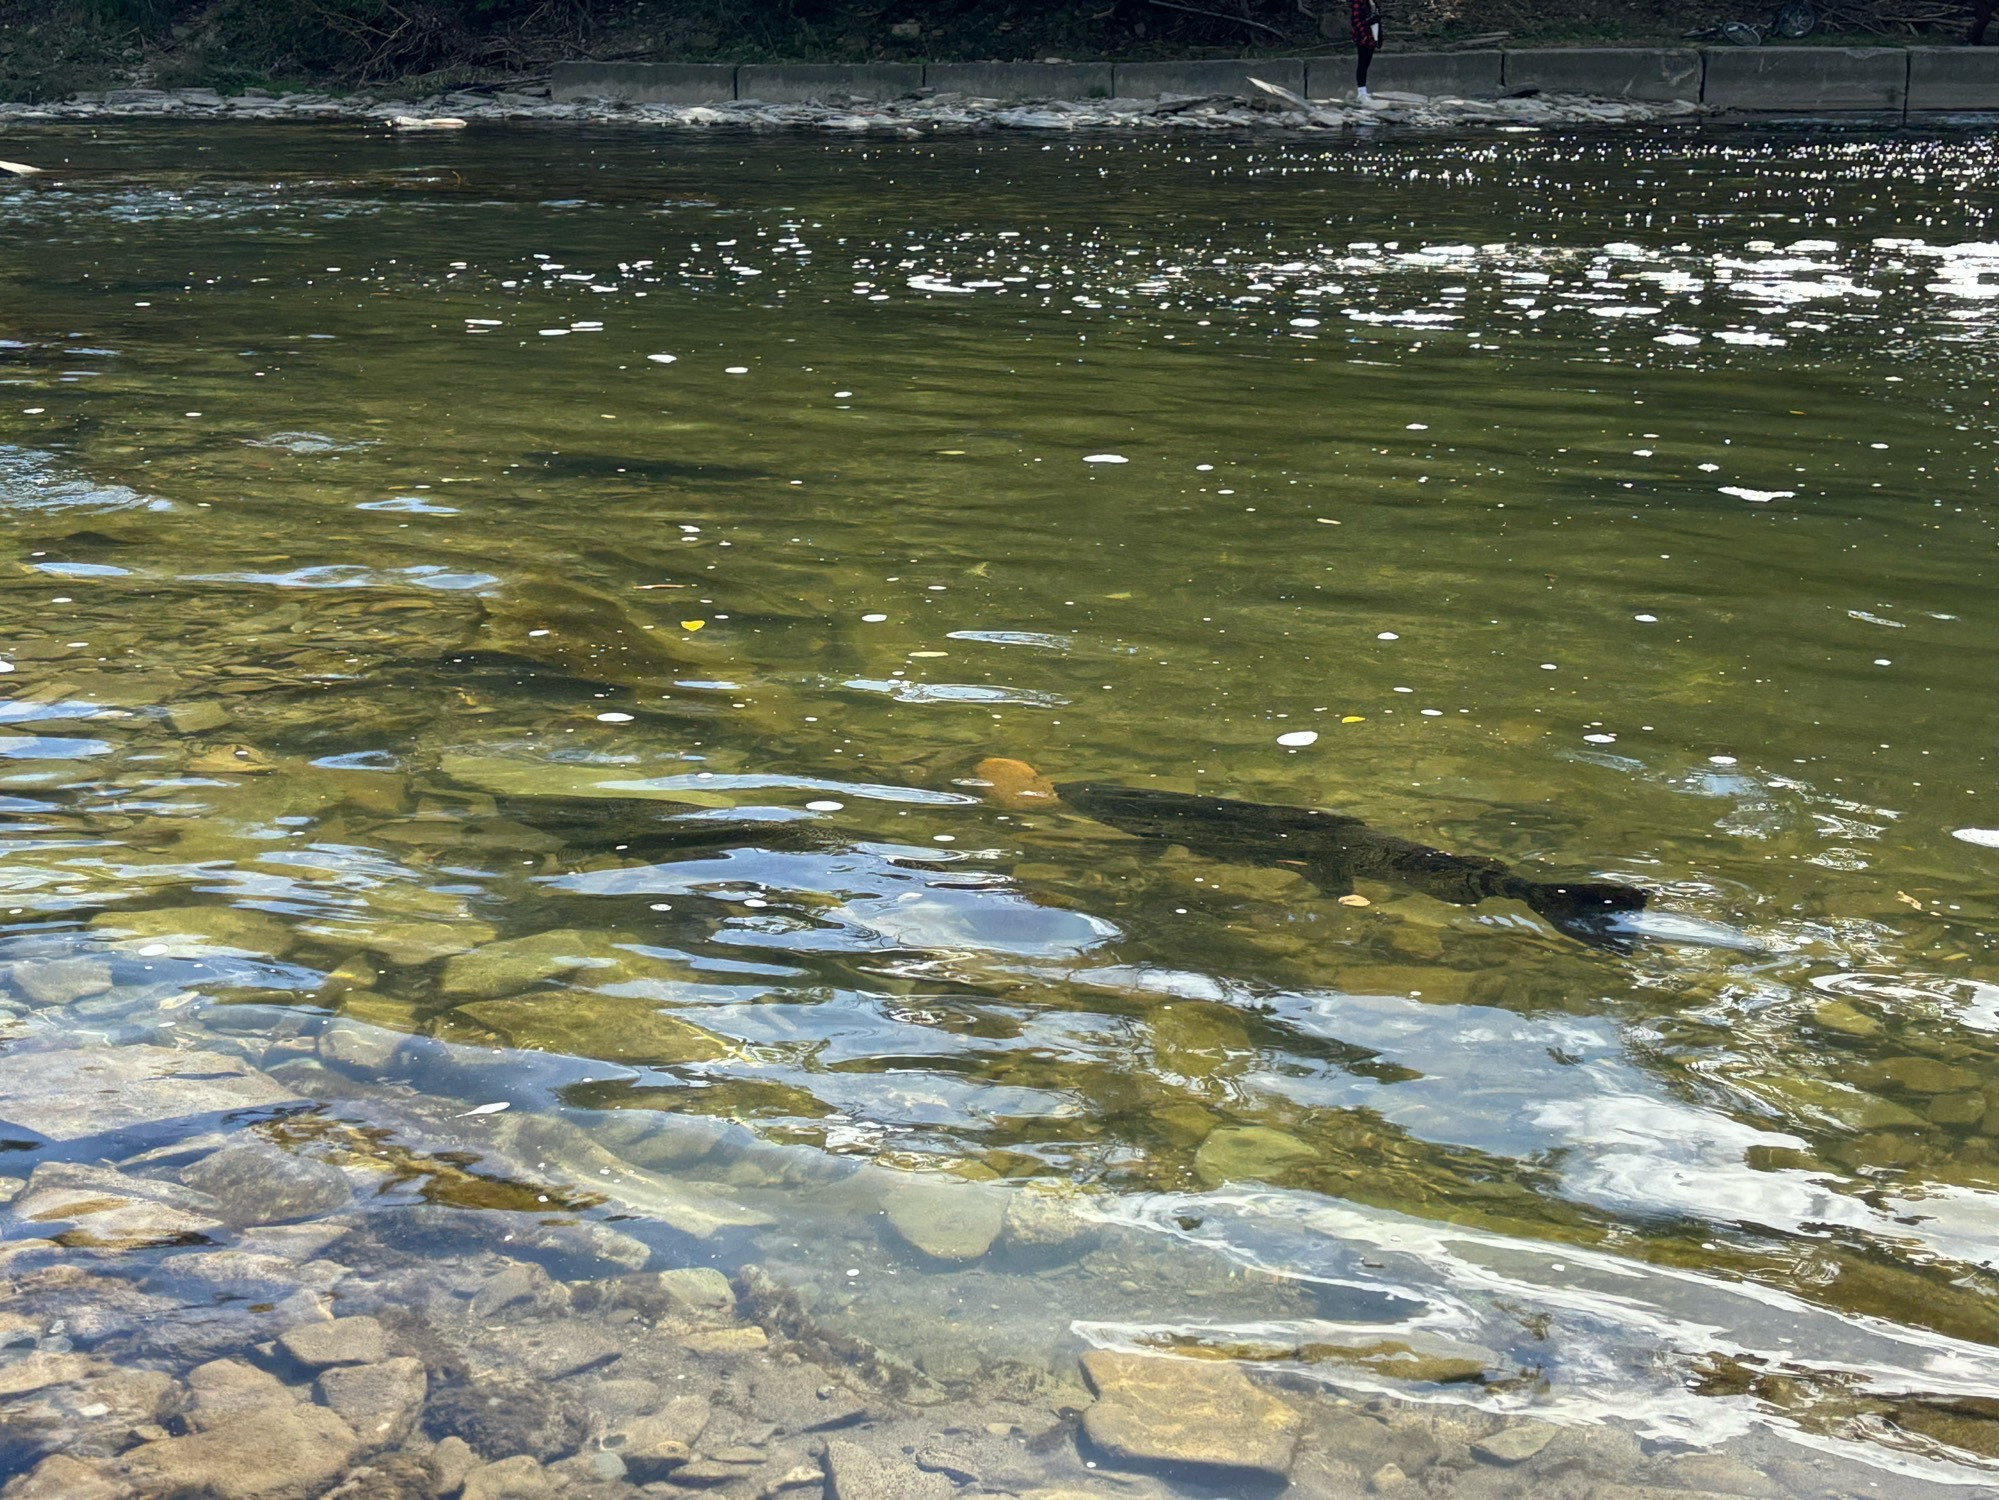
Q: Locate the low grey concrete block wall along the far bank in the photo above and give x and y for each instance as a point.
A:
(1786, 79)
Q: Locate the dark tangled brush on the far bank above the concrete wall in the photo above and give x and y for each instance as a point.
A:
(57, 47)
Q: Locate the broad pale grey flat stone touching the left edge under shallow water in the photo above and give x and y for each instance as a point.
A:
(81, 1093)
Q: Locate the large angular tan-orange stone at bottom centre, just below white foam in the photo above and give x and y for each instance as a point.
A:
(1170, 1411)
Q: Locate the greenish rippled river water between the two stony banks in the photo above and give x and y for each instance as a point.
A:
(385, 593)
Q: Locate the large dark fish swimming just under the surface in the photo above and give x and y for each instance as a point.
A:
(1332, 849)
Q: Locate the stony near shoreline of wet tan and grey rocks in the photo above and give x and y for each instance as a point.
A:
(265, 1255)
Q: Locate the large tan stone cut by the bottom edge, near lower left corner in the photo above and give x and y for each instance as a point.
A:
(281, 1453)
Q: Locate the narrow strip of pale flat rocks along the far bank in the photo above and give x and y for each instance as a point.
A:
(905, 117)
